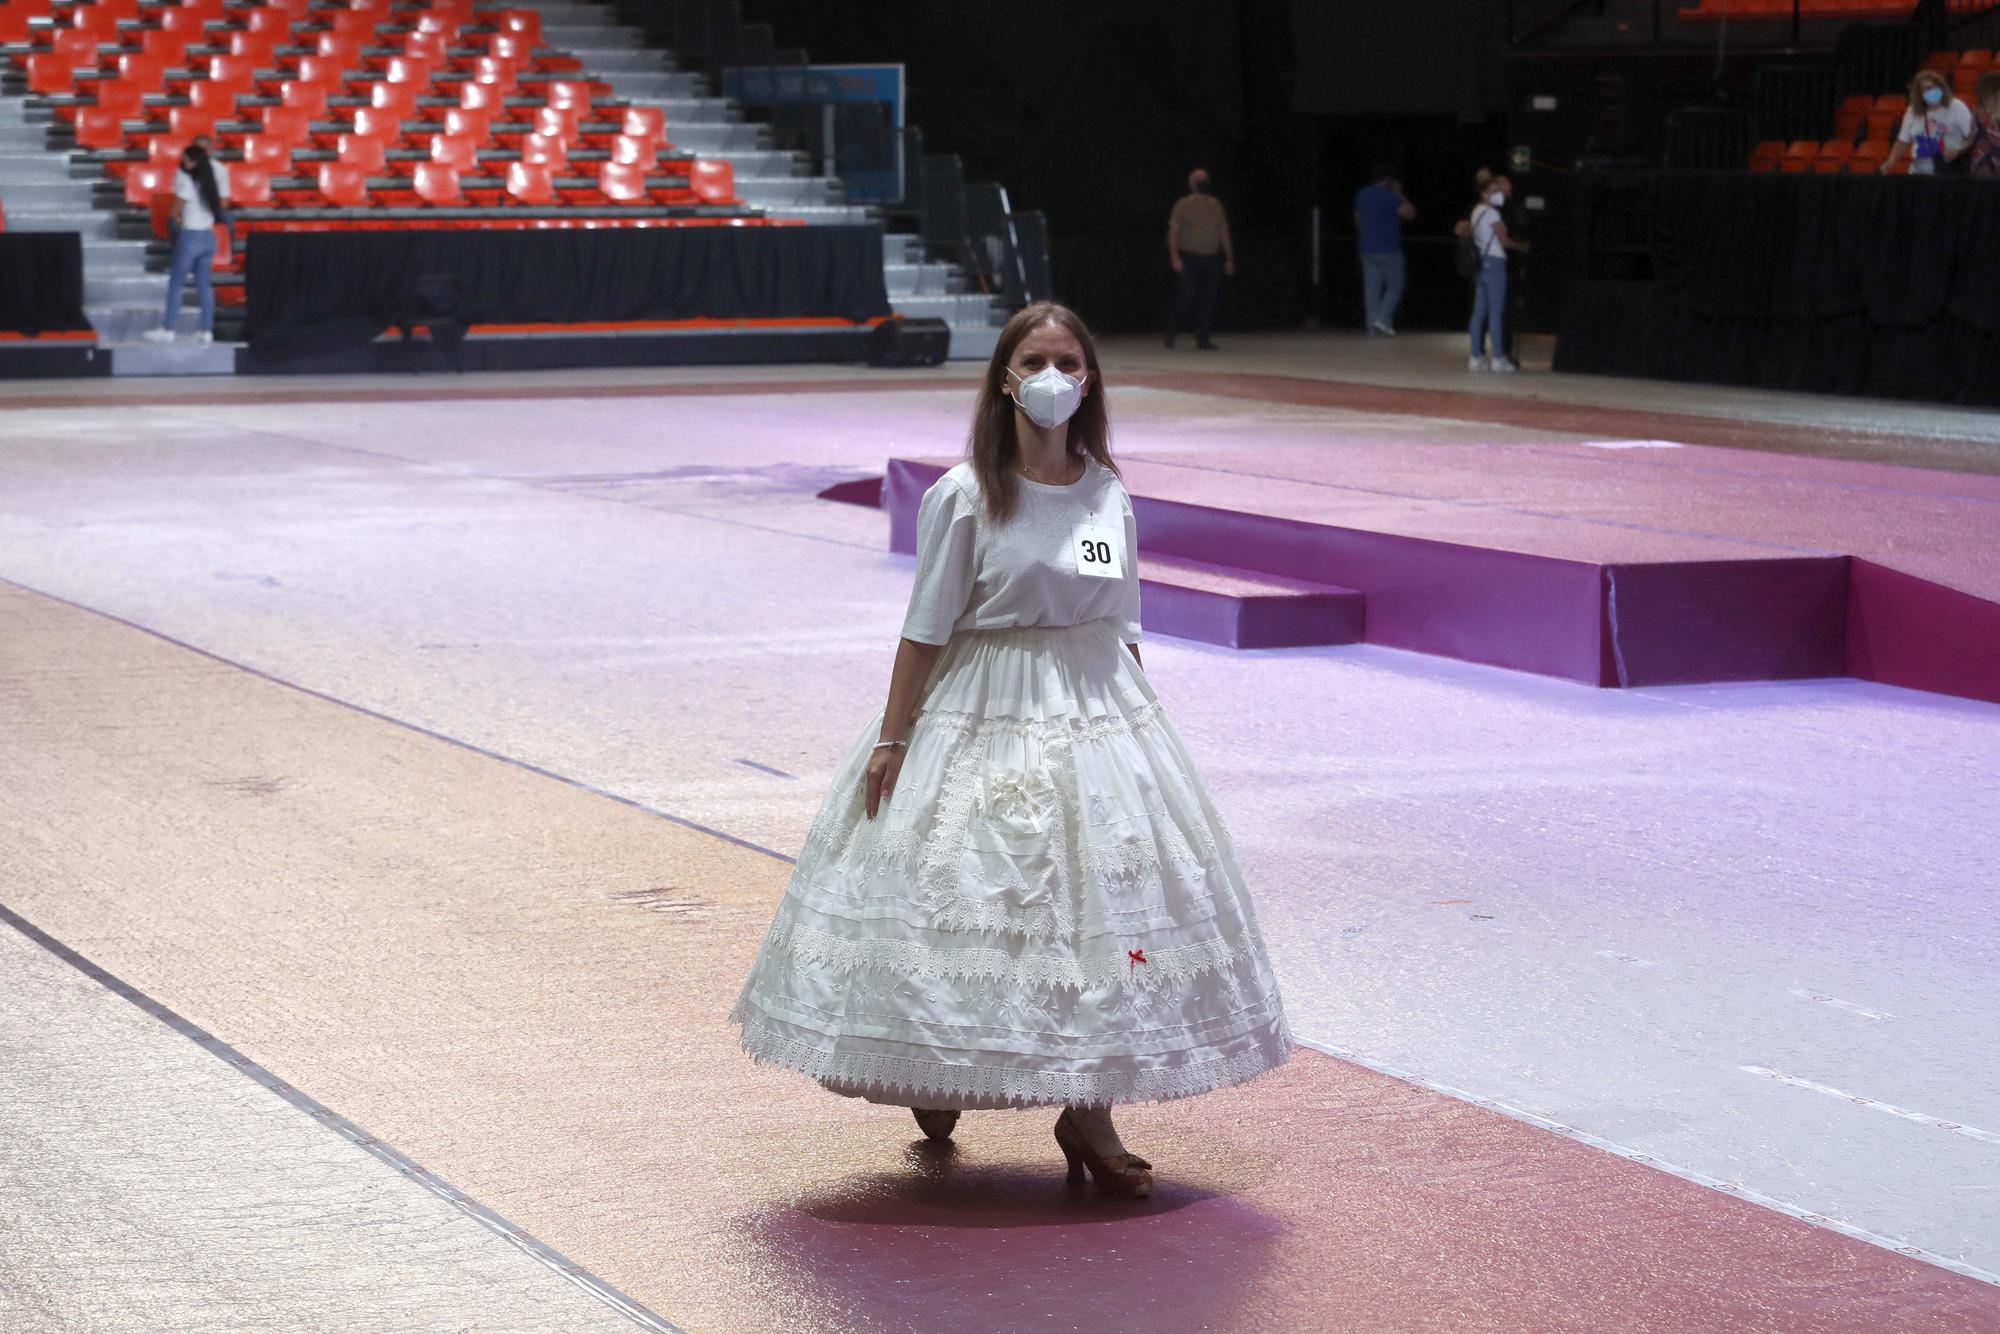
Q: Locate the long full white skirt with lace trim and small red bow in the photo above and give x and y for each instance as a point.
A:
(1047, 909)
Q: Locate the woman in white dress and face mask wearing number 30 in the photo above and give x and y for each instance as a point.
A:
(1019, 891)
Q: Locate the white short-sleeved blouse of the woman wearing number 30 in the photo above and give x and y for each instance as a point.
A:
(977, 575)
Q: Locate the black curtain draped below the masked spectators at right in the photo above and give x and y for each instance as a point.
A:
(1837, 285)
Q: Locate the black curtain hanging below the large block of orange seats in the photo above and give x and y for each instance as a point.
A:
(313, 293)
